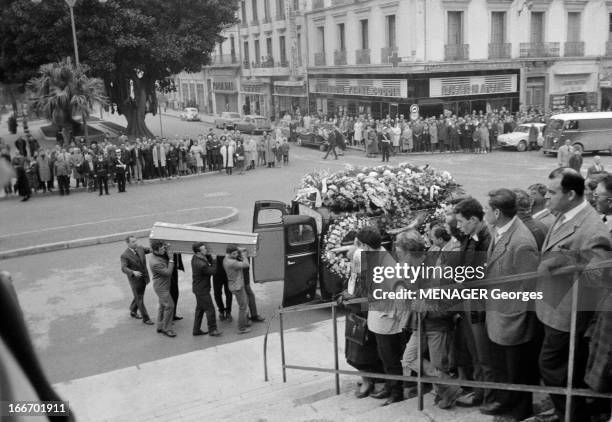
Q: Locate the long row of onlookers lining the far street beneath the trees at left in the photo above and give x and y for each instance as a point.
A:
(119, 162)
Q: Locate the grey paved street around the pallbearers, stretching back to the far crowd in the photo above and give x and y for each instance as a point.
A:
(76, 301)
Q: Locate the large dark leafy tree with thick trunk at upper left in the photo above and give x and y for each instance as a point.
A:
(133, 45)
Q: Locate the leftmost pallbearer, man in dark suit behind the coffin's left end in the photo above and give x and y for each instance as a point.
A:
(134, 265)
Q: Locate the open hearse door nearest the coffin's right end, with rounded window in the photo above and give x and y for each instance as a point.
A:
(269, 264)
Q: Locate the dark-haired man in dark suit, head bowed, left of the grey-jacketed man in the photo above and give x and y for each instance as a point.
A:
(469, 214)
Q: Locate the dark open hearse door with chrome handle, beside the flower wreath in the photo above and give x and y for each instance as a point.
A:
(301, 259)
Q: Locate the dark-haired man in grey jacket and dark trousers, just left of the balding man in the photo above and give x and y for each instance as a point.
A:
(510, 326)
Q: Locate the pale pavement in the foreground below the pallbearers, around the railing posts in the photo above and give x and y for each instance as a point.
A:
(226, 383)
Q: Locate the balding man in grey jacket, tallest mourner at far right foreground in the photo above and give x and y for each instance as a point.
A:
(577, 236)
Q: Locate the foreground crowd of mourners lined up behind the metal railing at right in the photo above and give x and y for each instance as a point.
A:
(565, 221)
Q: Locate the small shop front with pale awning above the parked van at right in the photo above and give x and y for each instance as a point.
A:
(575, 90)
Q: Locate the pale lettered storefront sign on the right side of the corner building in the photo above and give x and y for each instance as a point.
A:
(472, 85)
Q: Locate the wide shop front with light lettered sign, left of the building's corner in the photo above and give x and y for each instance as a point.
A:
(353, 97)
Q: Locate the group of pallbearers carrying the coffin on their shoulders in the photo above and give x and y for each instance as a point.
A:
(228, 276)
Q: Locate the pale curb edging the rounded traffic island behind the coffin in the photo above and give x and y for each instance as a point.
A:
(109, 238)
